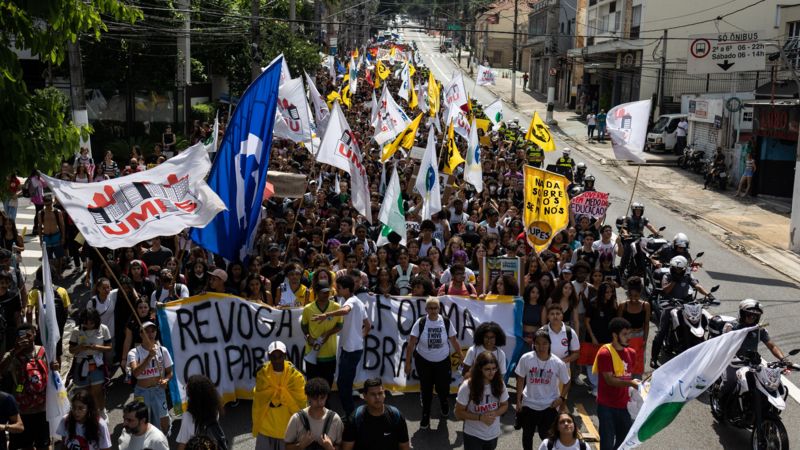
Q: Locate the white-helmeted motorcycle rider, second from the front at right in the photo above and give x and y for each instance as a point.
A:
(676, 284)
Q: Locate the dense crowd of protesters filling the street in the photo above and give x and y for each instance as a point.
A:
(317, 253)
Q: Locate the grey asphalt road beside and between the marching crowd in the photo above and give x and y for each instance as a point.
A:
(694, 428)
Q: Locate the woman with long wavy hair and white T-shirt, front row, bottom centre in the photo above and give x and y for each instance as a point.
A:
(481, 401)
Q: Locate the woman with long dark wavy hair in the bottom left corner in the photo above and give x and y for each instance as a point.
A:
(82, 428)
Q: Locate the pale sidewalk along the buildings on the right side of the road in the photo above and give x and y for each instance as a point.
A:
(756, 226)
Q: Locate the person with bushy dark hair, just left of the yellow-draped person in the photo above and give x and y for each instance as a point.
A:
(203, 410)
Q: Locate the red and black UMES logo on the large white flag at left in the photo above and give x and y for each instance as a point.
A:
(125, 210)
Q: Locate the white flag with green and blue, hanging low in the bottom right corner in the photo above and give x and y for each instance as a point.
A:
(683, 378)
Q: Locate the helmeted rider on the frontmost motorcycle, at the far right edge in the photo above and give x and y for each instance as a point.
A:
(750, 312)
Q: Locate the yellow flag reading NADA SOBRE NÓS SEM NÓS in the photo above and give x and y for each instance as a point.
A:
(546, 206)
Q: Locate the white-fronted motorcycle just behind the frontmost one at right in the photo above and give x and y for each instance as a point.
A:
(689, 323)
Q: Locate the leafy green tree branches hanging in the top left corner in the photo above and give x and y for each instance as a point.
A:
(37, 129)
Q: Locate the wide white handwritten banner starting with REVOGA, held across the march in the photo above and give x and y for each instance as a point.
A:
(226, 337)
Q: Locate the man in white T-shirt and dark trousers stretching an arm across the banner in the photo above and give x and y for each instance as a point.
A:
(351, 339)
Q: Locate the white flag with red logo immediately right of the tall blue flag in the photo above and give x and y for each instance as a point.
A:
(293, 112)
